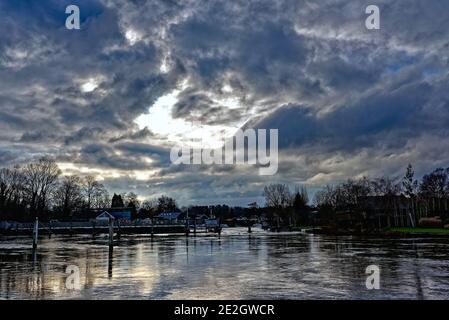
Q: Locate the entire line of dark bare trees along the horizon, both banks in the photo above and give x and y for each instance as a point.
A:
(39, 189)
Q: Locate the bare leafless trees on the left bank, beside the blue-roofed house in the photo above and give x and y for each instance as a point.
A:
(38, 189)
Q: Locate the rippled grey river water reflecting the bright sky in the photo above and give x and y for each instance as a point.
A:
(262, 265)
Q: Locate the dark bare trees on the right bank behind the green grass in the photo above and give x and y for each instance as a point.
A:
(347, 195)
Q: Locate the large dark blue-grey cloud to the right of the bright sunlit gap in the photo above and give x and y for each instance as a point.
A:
(366, 123)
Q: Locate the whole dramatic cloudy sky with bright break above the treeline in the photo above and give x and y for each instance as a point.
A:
(112, 98)
